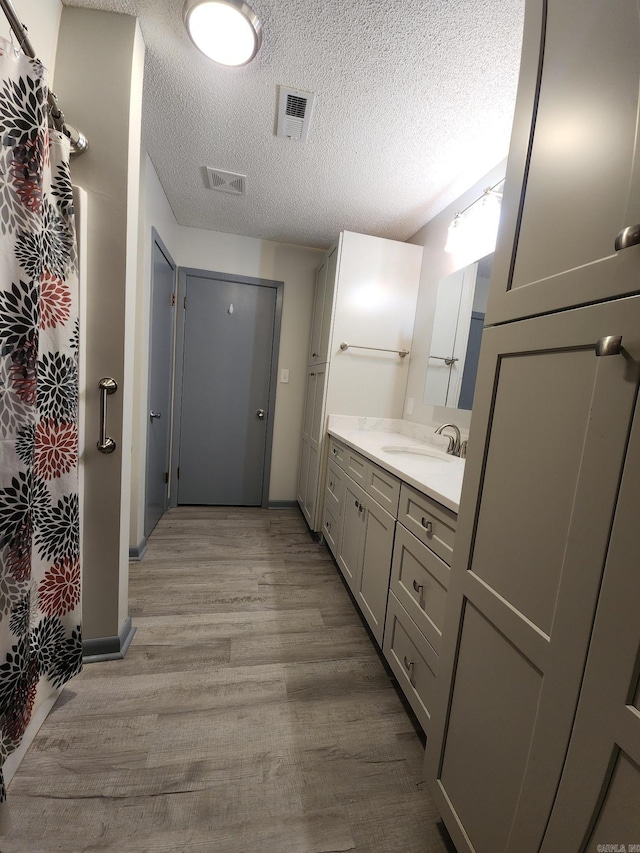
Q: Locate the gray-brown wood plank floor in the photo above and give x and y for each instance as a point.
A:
(252, 714)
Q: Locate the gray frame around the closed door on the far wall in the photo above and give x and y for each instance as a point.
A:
(278, 286)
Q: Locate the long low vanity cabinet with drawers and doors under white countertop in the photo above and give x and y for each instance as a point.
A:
(398, 582)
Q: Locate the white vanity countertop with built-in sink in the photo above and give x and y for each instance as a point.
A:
(439, 478)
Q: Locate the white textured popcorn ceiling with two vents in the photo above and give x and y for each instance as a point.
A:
(414, 103)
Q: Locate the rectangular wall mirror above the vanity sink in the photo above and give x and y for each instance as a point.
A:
(455, 341)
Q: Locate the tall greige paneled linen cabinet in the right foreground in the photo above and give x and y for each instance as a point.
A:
(535, 738)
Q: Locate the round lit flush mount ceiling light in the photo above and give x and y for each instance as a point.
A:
(227, 31)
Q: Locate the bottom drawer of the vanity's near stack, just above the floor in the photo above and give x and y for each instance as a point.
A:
(412, 660)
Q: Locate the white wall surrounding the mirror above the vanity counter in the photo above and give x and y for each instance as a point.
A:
(436, 264)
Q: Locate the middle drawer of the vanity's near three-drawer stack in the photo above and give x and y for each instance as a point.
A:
(419, 579)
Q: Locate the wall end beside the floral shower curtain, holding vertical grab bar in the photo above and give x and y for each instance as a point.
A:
(99, 81)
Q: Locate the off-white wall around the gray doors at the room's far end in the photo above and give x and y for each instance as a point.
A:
(229, 253)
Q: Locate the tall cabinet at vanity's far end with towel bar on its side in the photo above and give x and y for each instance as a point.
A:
(365, 296)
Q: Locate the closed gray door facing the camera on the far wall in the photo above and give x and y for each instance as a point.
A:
(228, 351)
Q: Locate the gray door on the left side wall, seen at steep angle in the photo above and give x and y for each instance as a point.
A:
(160, 381)
